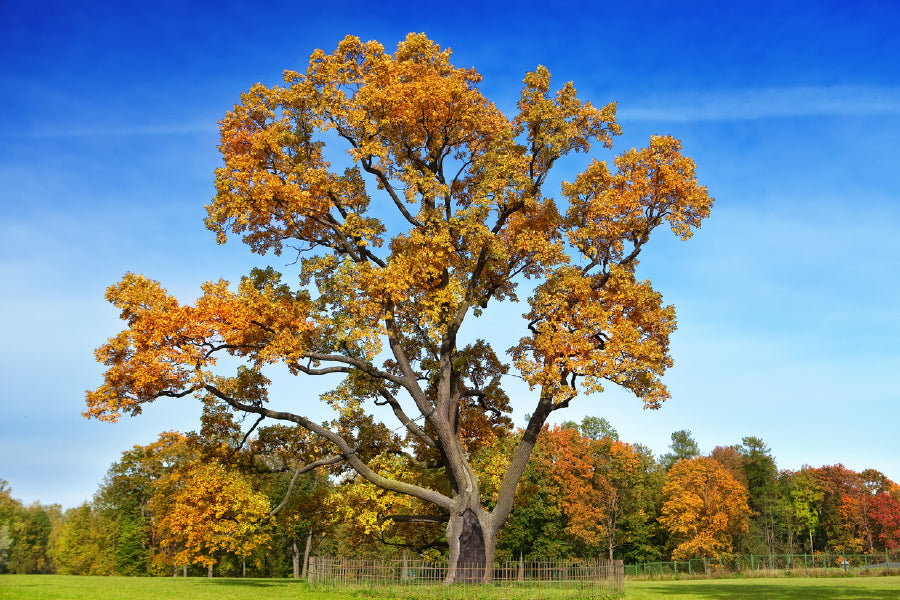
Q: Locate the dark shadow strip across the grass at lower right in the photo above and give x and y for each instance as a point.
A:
(774, 592)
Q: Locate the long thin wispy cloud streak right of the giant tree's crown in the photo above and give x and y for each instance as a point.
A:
(735, 105)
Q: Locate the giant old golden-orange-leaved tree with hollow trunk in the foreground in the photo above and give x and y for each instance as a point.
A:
(440, 212)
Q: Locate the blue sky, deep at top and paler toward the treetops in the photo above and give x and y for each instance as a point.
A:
(787, 297)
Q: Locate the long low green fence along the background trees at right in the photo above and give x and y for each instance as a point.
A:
(795, 563)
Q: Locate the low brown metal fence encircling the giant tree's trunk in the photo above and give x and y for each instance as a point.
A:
(517, 580)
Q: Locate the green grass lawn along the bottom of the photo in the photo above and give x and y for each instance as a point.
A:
(61, 587)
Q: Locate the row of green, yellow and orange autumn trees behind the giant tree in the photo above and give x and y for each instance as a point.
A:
(222, 502)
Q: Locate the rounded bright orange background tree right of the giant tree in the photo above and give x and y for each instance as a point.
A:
(705, 507)
